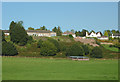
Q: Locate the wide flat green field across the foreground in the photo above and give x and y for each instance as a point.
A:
(15, 68)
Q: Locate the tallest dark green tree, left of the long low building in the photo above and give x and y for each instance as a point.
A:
(18, 34)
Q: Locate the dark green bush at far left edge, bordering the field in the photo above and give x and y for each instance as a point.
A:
(8, 49)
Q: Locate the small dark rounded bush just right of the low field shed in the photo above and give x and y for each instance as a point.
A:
(96, 53)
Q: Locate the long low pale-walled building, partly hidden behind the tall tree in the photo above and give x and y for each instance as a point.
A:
(46, 33)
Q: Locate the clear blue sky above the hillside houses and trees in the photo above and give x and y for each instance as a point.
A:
(97, 16)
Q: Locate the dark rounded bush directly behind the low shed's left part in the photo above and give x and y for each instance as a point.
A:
(75, 50)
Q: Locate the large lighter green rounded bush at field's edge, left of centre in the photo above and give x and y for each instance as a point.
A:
(48, 49)
